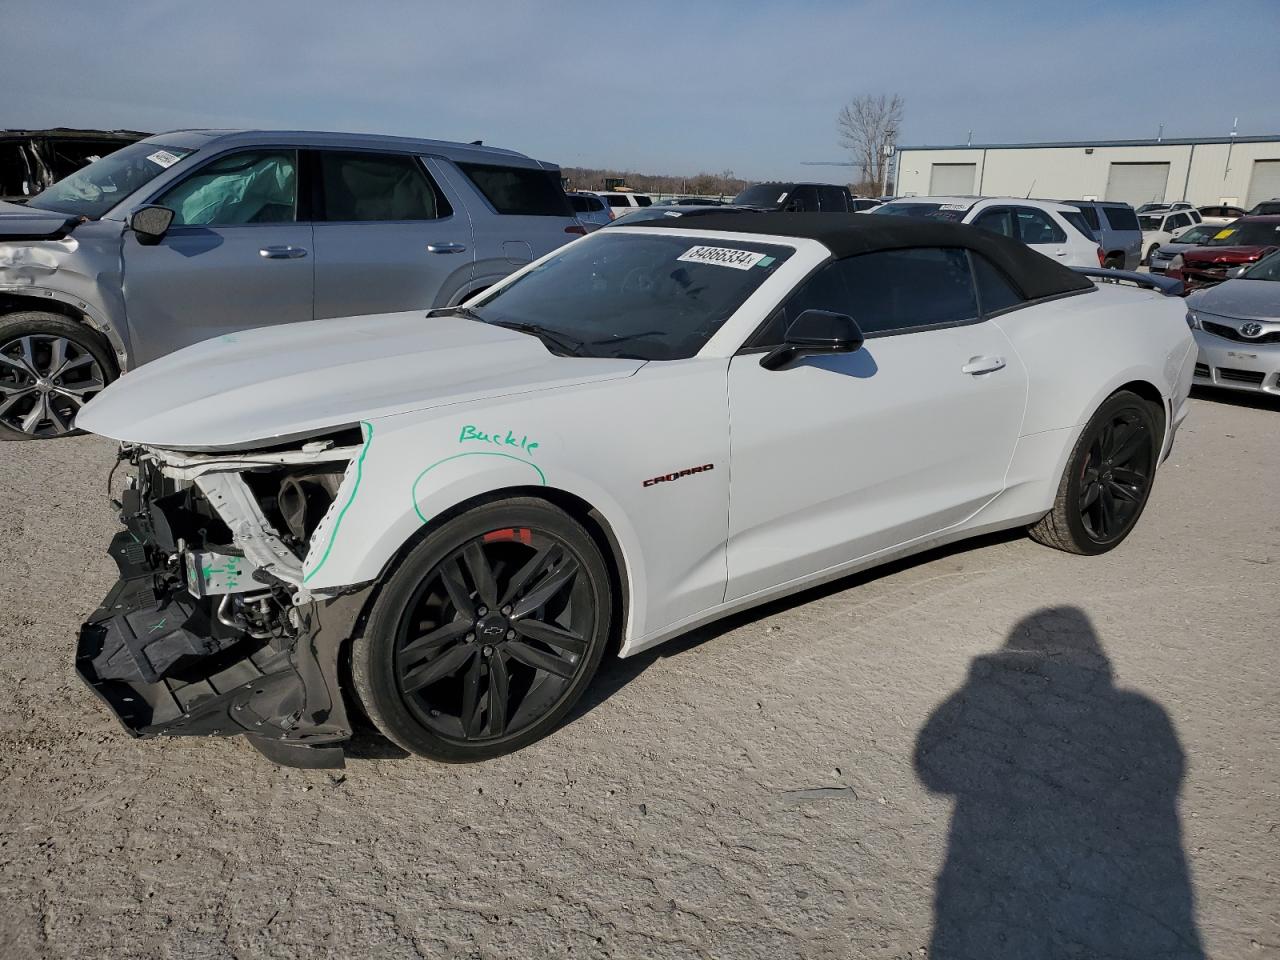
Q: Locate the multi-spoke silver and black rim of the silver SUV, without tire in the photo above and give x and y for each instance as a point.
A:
(44, 382)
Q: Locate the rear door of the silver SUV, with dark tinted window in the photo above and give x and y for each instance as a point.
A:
(388, 237)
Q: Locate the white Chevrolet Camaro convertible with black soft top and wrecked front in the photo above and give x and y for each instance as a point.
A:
(446, 520)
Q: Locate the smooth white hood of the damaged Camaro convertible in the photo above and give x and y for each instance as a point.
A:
(239, 391)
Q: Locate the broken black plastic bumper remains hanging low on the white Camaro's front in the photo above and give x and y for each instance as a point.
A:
(170, 662)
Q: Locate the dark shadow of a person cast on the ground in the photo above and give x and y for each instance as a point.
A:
(1066, 839)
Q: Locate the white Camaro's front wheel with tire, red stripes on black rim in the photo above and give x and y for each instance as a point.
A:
(487, 634)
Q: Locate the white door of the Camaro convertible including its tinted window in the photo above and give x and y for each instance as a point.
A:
(840, 458)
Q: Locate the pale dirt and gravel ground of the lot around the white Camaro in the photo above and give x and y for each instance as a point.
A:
(1104, 774)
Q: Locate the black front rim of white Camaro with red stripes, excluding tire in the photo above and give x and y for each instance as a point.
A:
(496, 636)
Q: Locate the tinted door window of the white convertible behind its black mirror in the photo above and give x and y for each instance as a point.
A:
(886, 292)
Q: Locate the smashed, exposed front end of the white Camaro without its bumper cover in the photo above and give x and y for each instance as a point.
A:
(211, 629)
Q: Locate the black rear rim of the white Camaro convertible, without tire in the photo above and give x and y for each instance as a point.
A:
(1117, 476)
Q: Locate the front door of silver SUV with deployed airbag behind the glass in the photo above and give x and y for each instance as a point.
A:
(239, 255)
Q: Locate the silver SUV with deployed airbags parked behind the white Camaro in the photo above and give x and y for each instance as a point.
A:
(194, 235)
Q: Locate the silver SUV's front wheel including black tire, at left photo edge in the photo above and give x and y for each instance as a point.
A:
(51, 367)
